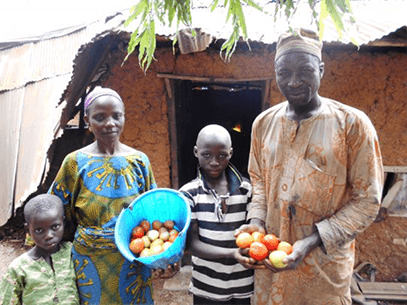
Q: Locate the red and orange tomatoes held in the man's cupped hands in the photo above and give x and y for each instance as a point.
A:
(263, 246)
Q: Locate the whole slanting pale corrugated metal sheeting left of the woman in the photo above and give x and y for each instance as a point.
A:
(33, 77)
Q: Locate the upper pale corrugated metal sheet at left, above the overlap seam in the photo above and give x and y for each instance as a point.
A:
(51, 55)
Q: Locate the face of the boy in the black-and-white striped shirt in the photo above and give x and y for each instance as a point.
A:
(213, 156)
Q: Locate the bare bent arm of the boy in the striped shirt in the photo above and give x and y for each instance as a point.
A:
(203, 250)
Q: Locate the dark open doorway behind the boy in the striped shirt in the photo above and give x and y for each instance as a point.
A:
(233, 106)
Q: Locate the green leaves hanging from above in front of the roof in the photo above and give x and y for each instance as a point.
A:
(179, 11)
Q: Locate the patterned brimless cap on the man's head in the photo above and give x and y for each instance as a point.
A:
(299, 41)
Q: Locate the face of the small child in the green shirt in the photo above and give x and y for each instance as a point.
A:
(47, 229)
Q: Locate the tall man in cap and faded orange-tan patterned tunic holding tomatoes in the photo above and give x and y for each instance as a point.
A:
(317, 176)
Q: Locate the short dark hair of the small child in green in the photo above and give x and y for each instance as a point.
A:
(41, 203)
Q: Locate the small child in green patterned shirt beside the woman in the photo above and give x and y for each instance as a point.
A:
(45, 274)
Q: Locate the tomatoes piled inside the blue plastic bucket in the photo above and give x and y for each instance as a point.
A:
(151, 239)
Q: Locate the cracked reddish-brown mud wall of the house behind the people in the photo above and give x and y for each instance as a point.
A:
(372, 81)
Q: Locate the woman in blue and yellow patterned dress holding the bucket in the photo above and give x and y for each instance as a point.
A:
(95, 183)
